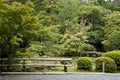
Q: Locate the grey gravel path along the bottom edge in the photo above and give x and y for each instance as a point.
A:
(80, 76)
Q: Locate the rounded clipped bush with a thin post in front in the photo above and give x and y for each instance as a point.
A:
(110, 65)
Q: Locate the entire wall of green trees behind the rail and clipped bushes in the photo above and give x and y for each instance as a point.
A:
(52, 27)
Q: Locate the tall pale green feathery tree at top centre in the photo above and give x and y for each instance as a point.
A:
(66, 14)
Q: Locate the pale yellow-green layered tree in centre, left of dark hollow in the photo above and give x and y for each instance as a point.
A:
(76, 41)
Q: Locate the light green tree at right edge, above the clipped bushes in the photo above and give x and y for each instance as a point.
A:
(112, 31)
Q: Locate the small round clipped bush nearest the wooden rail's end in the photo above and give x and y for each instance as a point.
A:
(84, 63)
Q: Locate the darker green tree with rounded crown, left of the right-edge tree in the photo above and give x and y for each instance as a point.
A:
(93, 14)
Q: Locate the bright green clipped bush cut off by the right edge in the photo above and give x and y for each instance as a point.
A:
(115, 55)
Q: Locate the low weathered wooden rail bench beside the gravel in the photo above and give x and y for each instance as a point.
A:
(45, 62)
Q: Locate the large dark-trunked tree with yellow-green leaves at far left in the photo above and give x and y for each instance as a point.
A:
(16, 24)
